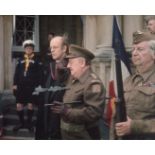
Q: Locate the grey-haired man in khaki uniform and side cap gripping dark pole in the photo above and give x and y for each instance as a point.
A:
(139, 91)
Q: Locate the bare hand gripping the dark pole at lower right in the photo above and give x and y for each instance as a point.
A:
(123, 128)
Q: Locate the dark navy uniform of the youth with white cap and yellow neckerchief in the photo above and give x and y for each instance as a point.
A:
(27, 81)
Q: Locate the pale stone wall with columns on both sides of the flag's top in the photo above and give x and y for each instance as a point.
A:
(98, 39)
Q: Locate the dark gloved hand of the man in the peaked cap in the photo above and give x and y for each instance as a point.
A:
(58, 107)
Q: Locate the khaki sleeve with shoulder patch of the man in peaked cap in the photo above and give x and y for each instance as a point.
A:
(94, 96)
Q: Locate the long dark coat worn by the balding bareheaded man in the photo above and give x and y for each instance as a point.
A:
(48, 124)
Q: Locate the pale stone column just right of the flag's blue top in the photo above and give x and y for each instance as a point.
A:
(131, 23)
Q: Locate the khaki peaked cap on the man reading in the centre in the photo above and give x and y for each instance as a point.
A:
(77, 51)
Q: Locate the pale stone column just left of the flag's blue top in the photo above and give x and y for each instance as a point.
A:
(103, 47)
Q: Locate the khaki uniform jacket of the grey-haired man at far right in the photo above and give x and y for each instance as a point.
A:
(139, 91)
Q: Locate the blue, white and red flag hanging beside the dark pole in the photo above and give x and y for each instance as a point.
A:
(119, 48)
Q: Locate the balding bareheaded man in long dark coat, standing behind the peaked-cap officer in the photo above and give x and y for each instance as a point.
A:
(55, 75)
